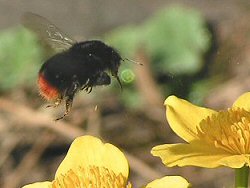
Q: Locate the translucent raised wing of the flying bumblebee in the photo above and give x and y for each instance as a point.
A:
(47, 31)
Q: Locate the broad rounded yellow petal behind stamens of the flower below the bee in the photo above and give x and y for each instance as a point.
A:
(88, 151)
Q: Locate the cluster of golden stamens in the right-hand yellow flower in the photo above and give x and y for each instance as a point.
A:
(229, 130)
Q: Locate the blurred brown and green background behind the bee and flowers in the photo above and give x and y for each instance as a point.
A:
(197, 50)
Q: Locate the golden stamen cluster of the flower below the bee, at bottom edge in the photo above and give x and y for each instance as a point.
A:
(91, 177)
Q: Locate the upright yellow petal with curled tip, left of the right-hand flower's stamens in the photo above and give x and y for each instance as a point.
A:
(183, 117)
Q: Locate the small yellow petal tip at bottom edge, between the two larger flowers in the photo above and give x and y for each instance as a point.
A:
(169, 181)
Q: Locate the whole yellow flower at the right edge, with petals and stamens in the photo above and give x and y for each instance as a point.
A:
(214, 138)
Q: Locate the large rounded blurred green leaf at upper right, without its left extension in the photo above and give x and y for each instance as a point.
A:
(176, 39)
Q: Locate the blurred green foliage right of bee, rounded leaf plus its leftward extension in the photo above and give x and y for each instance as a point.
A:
(175, 38)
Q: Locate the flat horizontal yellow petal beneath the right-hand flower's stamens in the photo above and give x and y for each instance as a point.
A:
(197, 154)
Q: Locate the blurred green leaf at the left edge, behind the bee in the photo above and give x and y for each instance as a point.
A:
(20, 58)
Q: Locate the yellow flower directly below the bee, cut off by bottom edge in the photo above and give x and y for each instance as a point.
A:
(90, 163)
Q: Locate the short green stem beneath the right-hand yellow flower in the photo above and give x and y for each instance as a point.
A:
(241, 177)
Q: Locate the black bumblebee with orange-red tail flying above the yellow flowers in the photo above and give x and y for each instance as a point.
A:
(79, 65)
